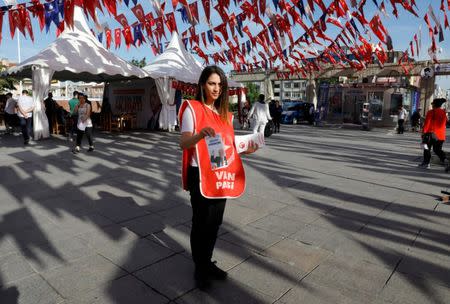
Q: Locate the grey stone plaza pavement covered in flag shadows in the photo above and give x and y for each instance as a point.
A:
(329, 216)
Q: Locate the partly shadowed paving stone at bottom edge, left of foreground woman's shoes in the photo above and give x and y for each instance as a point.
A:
(123, 290)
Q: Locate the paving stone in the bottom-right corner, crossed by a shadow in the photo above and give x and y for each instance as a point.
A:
(408, 289)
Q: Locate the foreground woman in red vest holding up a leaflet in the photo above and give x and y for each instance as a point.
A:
(207, 129)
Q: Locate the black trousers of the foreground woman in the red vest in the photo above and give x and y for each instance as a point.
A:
(207, 216)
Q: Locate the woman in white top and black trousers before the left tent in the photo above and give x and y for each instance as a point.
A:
(84, 123)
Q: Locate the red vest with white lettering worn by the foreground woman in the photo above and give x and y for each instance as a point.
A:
(227, 181)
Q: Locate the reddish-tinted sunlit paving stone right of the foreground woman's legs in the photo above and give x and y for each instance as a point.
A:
(278, 225)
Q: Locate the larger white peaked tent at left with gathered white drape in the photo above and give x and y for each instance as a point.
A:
(75, 55)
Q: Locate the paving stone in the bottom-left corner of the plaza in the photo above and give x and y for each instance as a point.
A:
(30, 290)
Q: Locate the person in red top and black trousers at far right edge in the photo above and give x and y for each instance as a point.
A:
(433, 133)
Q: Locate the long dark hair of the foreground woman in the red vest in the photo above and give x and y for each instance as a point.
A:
(221, 103)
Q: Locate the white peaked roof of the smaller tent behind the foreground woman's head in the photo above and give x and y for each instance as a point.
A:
(175, 62)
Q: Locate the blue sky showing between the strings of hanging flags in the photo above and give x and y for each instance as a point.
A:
(401, 30)
